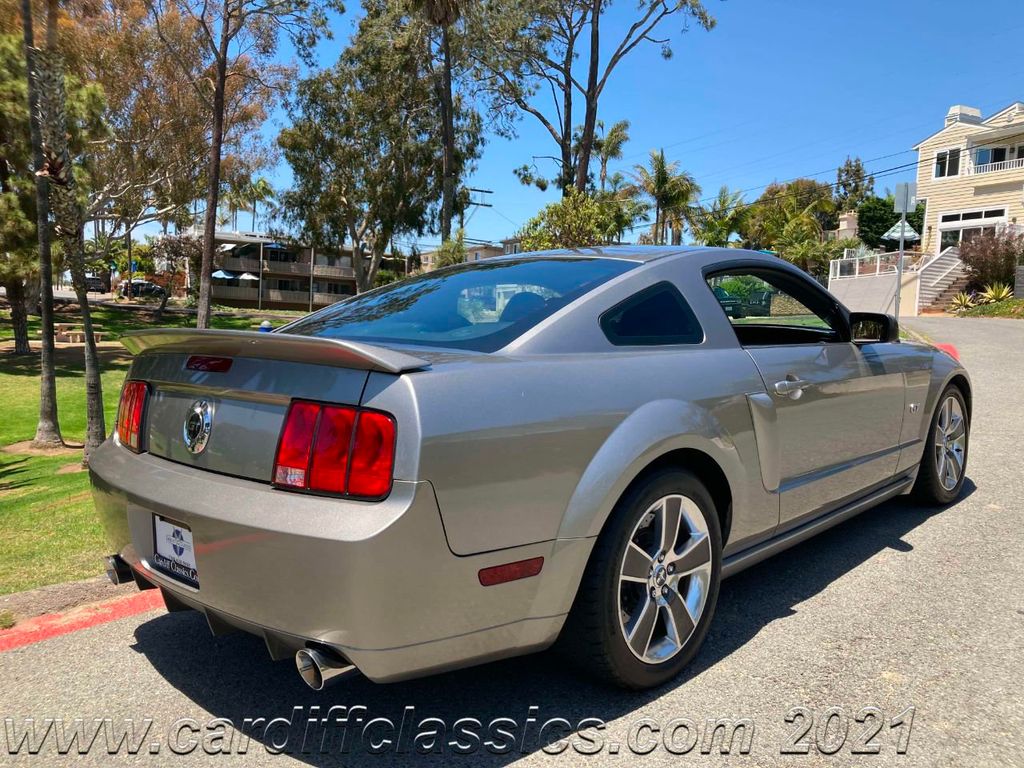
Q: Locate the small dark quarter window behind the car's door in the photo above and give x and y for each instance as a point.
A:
(657, 316)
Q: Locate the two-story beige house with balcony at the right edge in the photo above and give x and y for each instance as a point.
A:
(971, 176)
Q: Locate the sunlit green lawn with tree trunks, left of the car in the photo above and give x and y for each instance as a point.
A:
(49, 527)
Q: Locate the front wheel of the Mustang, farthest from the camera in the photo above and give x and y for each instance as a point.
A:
(944, 465)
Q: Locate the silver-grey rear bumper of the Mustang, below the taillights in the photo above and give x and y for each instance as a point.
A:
(376, 582)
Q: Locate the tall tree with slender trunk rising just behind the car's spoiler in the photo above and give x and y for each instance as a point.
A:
(239, 39)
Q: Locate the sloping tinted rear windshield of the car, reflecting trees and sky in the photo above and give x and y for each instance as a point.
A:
(480, 307)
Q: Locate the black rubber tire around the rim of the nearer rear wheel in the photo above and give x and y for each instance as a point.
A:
(593, 636)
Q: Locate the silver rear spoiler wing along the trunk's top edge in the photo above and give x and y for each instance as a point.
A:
(275, 347)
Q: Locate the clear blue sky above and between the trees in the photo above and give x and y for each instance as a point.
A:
(780, 90)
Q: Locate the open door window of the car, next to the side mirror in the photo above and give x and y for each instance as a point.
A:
(772, 308)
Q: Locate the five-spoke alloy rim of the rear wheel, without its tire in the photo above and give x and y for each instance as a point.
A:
(664, 579)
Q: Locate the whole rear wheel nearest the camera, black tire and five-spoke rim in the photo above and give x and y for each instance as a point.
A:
(651, 588)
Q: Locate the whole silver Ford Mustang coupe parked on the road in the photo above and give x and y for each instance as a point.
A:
(570, 449)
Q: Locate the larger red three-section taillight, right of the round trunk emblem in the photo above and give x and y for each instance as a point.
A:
(336, 450)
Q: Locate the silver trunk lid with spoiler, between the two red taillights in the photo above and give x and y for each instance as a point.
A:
(249, 400)
